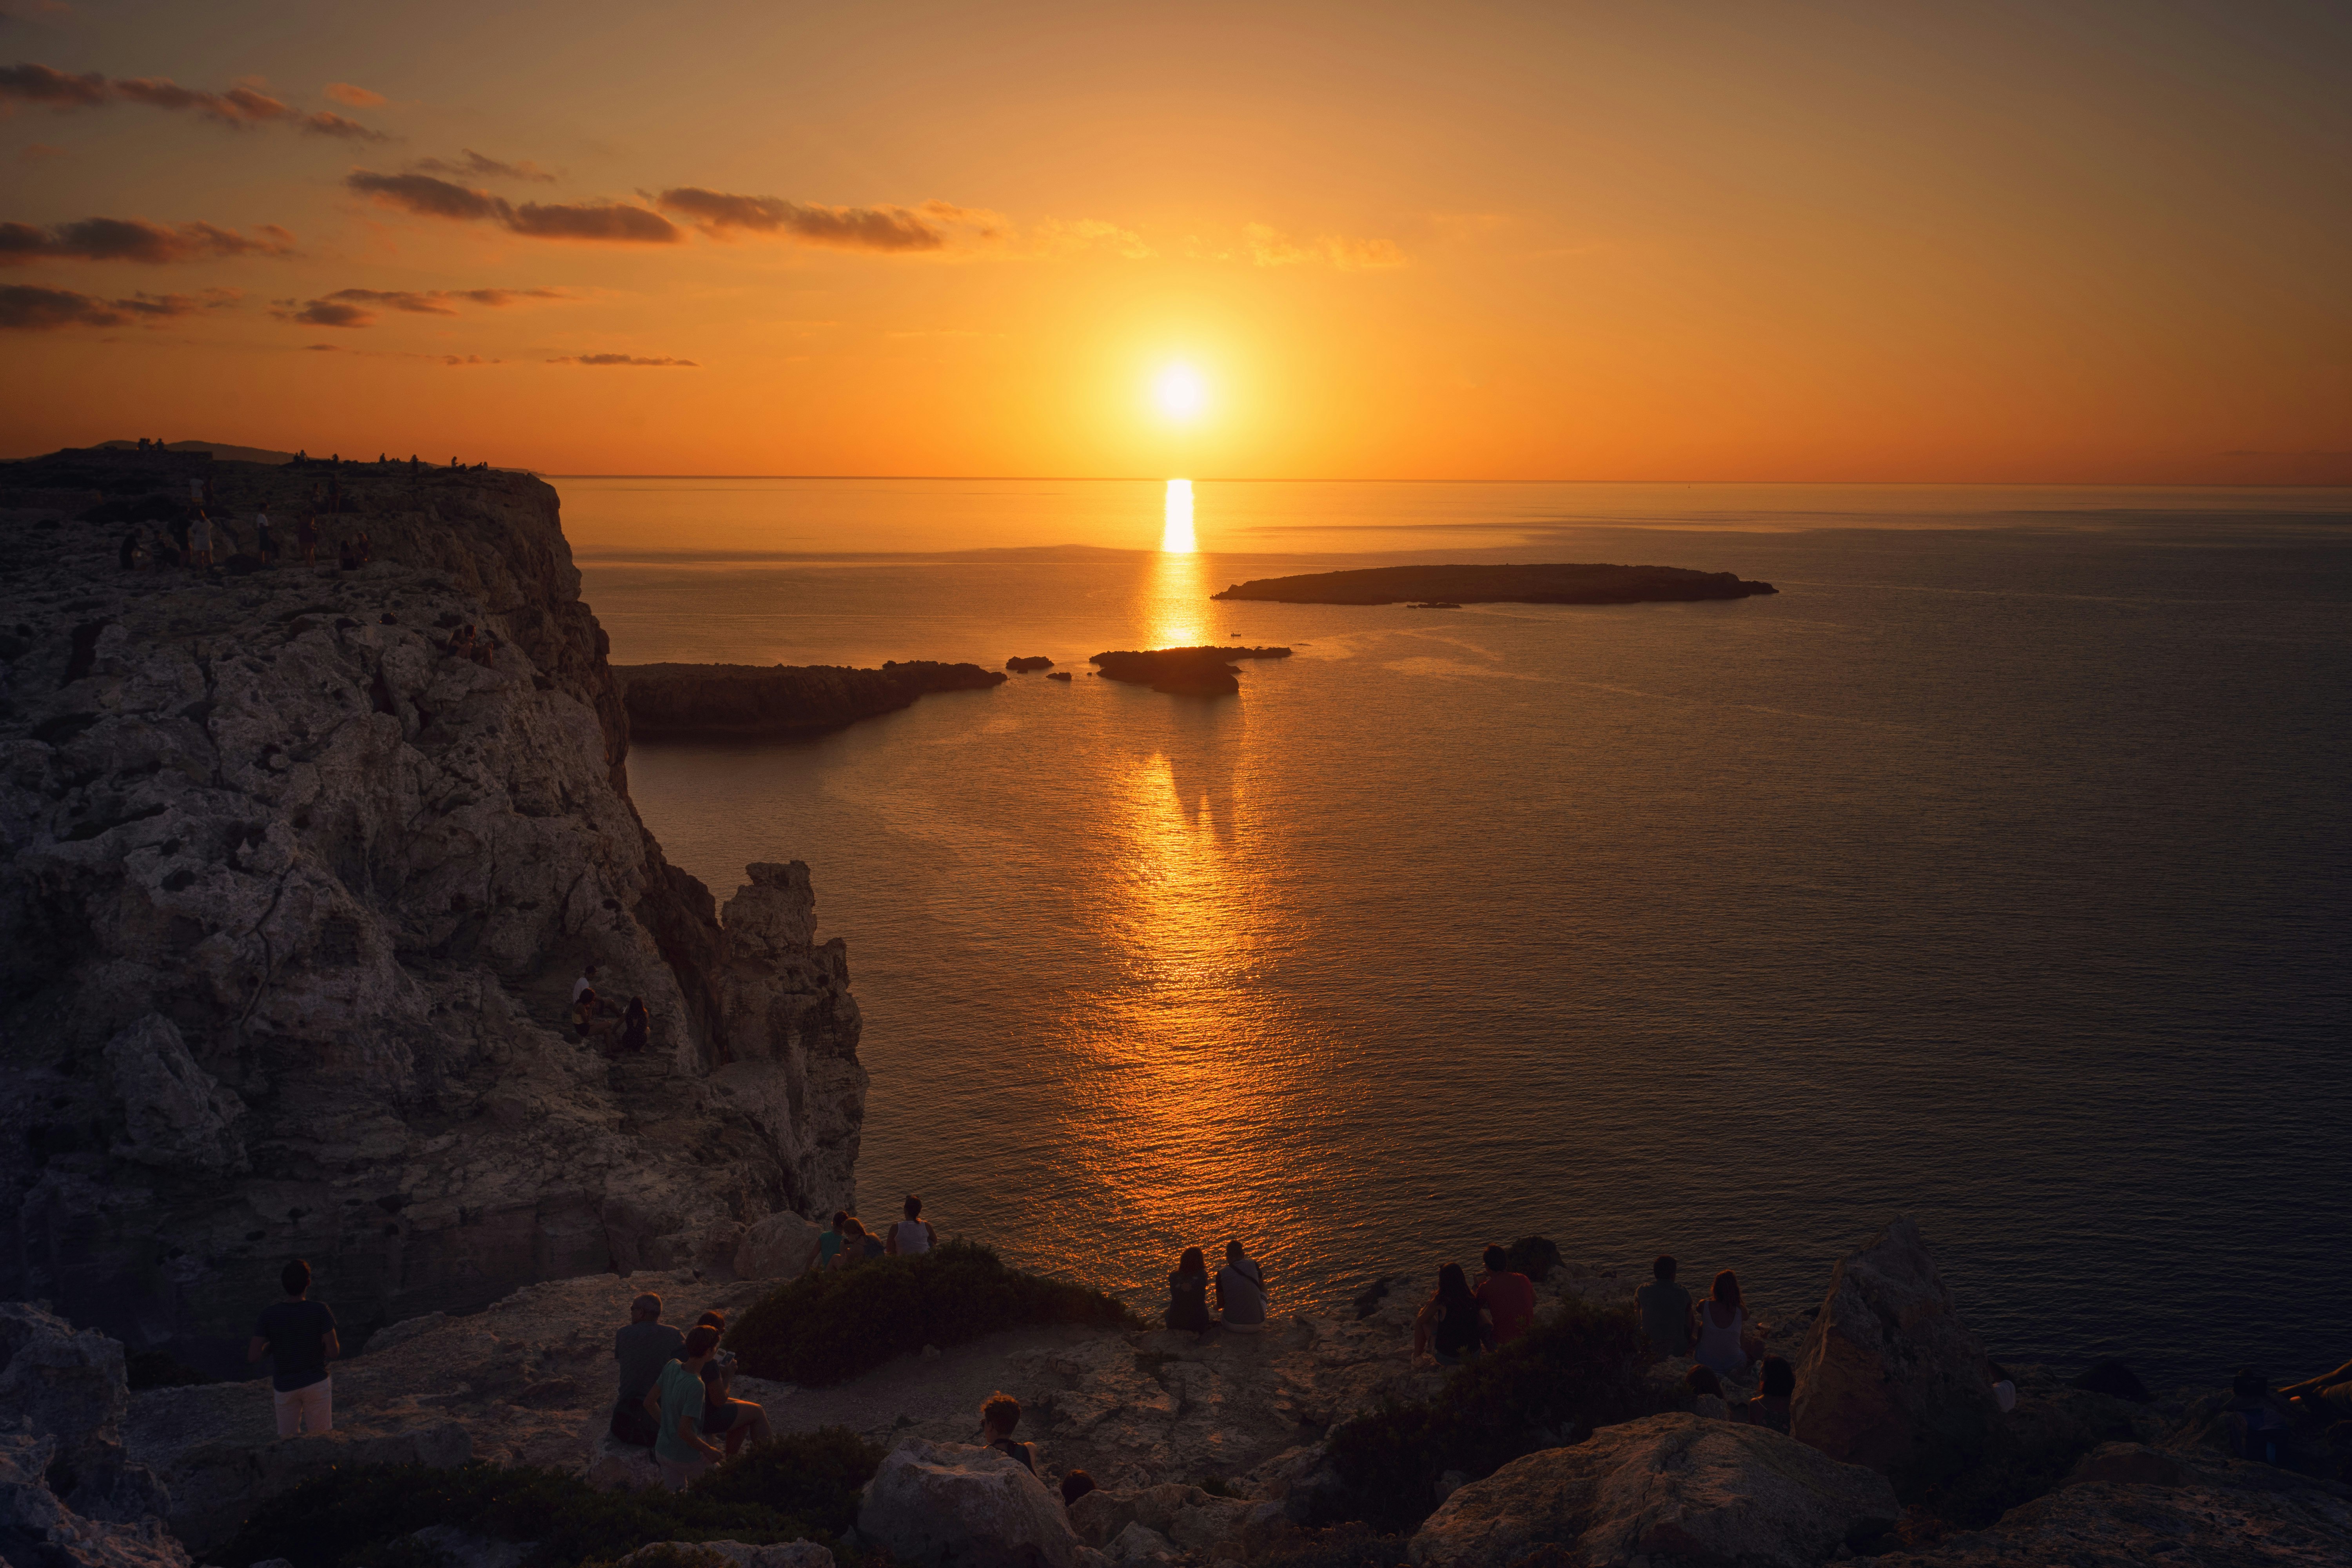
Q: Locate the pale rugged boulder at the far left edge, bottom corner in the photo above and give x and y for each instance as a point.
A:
(69, 1386)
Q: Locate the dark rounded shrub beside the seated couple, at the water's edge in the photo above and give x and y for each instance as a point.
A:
(841, 1322)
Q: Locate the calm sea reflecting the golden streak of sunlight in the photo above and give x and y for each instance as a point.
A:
(1991, 873)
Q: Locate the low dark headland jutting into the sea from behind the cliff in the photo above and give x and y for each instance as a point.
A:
(775, 702)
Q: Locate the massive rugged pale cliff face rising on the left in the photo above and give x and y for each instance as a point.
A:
(290, 911)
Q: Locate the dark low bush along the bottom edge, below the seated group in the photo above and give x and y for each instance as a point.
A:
(801, 1487)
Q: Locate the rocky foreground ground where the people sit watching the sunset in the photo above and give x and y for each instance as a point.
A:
(1215, 1452)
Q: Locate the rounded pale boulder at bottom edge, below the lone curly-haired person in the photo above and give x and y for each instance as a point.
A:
(954, 1506)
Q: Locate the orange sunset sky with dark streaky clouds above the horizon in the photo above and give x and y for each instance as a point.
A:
(1892, 241)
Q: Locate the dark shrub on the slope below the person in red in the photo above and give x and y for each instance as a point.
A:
(1572, 1372)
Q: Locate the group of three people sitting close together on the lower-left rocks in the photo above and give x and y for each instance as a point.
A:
(676, 1395)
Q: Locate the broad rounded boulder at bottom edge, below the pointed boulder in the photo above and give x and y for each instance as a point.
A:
(1702, 1492)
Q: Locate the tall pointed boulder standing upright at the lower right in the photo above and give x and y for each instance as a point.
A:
(1890, 1376)
